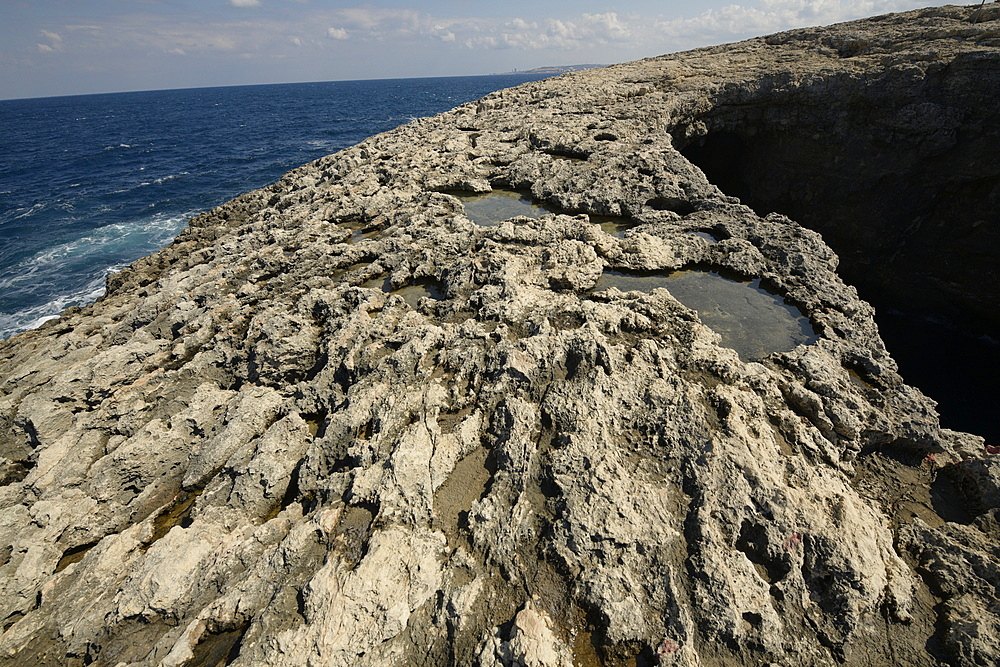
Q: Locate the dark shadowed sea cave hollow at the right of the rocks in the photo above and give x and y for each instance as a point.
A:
(901, 176)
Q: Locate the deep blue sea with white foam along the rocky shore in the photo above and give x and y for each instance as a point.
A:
(89, 184)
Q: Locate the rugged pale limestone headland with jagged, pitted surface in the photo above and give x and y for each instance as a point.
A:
(339, 422)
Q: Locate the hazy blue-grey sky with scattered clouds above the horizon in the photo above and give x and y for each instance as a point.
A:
(67, 47)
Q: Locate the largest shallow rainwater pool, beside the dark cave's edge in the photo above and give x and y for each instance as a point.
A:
(749, 318)
